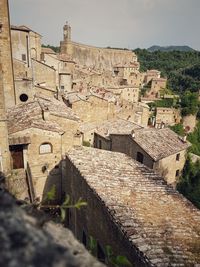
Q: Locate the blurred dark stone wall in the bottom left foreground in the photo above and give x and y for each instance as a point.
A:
(27, 241)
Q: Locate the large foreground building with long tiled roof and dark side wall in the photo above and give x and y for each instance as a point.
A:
(130, 208)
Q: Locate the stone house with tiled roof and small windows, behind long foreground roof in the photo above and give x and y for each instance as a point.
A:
(161, 150)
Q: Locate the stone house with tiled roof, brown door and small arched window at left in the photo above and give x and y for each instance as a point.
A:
(40, 133)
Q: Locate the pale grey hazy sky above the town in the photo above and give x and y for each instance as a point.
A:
(116, 23)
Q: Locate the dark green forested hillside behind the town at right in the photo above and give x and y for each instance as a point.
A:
(182, 69)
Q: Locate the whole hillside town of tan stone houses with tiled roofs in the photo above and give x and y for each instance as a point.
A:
(84, 122)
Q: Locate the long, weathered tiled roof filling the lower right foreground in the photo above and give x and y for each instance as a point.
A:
(158, 221)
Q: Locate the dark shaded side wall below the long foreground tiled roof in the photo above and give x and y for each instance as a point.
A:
(94, 220)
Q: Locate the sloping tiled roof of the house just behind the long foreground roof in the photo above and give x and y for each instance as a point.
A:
(159, 143)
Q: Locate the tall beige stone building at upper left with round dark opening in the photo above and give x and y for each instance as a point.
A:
(31, 76)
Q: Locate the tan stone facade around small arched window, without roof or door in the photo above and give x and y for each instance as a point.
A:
(44, 167)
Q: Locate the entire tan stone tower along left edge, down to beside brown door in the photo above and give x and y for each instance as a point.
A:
(7, 94)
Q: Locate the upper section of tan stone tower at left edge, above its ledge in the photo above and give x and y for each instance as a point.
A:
(6, 55)
